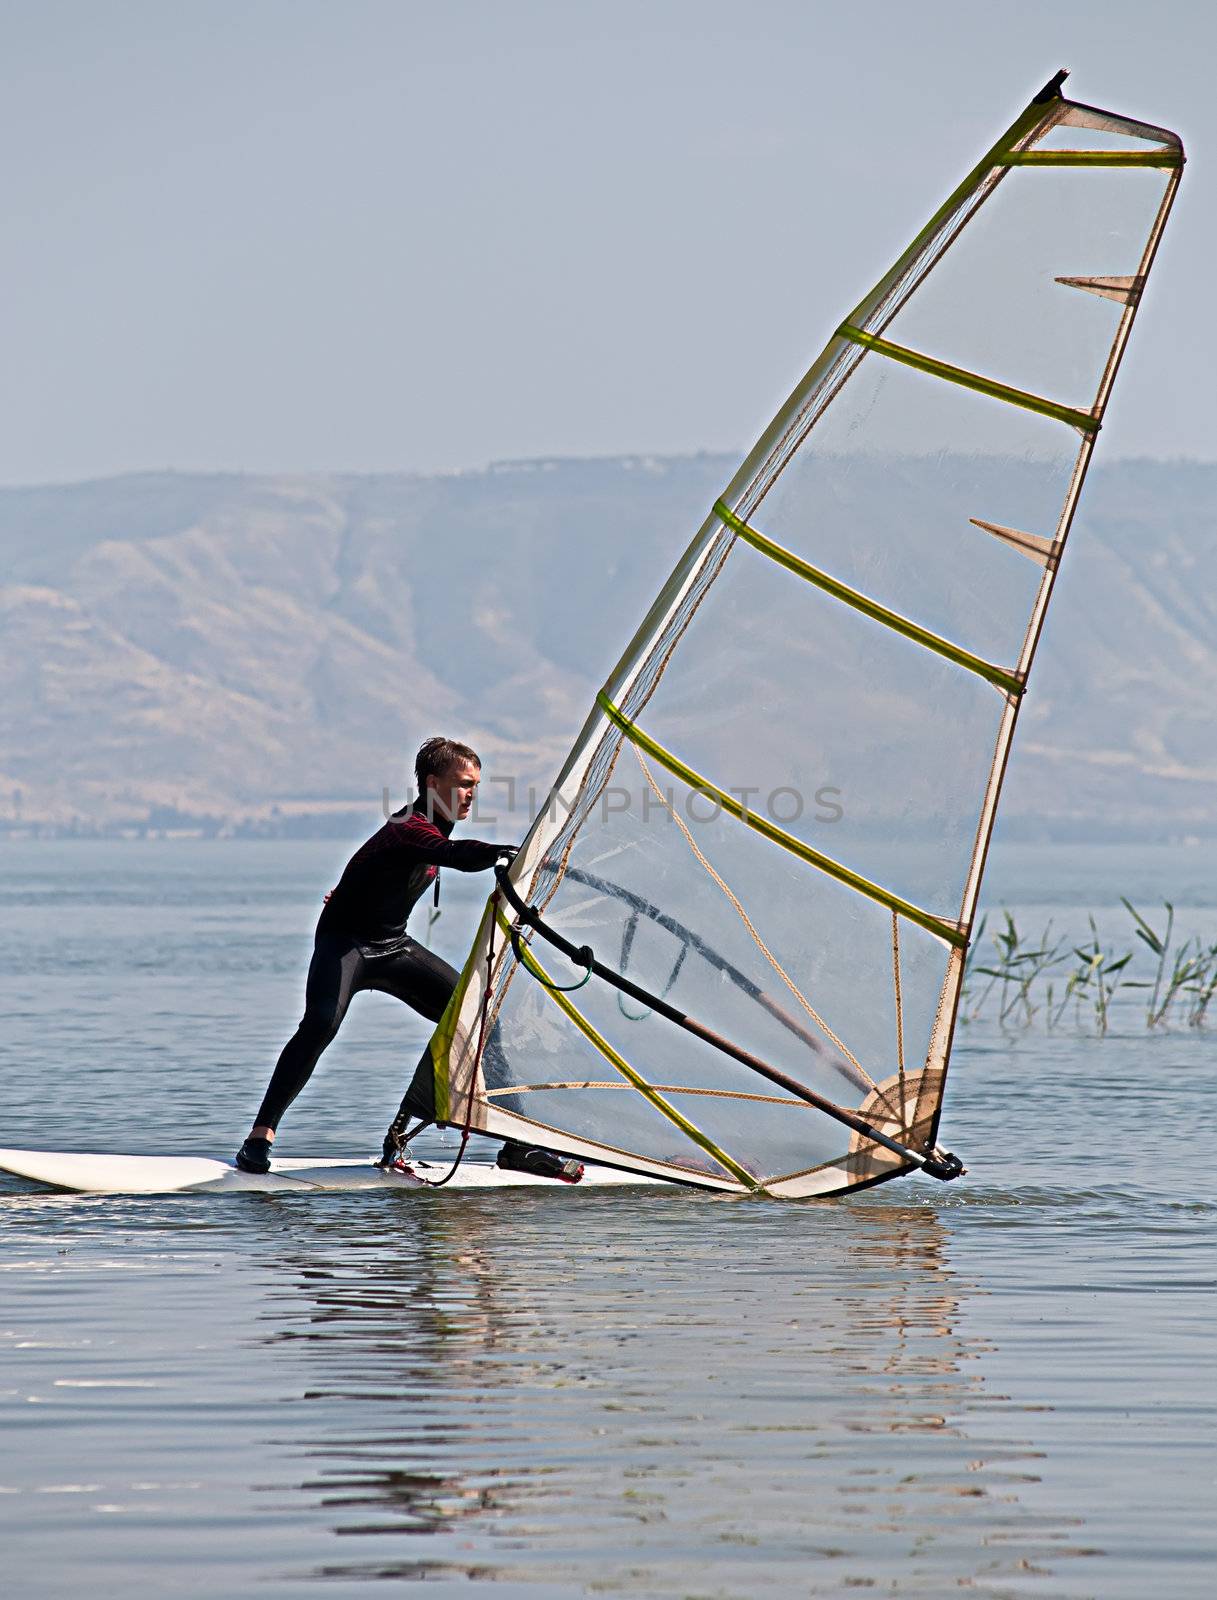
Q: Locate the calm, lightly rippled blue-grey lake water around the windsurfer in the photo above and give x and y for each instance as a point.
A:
(1002, 1386)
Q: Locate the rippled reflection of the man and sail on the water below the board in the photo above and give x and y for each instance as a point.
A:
(652, 1391)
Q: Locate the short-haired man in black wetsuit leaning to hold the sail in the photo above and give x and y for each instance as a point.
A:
(362, 940)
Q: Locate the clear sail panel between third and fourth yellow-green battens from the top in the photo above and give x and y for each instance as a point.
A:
(853, 738)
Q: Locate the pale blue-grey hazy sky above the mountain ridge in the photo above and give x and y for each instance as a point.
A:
(385, 236)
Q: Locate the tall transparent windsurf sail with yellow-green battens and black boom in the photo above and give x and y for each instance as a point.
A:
(767, 846)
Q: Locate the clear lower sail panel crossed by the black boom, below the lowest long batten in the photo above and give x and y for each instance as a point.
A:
(756, 945)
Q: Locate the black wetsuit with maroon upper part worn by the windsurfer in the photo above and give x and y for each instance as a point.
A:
(362, 940)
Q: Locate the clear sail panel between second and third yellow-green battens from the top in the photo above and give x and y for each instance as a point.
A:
(885, 492)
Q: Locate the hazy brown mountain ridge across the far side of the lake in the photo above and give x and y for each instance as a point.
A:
(218, 646)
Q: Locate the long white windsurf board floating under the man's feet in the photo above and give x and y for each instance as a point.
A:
(161, 1175)
